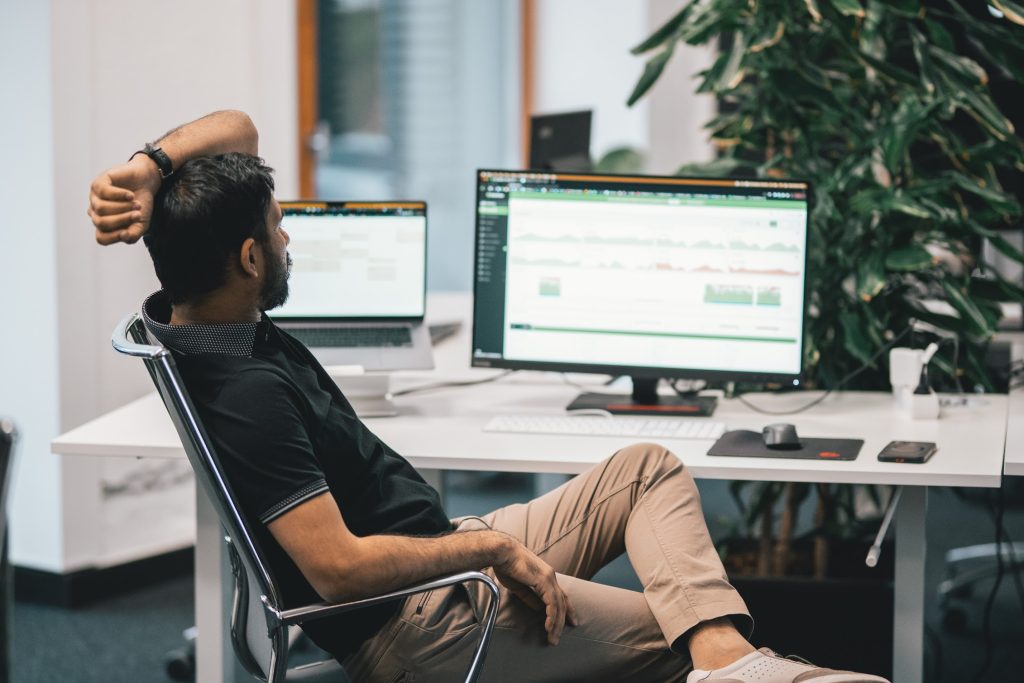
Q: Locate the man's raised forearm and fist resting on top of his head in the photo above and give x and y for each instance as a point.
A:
(121, 199)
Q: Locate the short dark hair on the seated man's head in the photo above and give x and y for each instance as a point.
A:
(201, 217)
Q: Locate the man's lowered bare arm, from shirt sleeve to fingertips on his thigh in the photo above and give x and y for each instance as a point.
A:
(343, 567)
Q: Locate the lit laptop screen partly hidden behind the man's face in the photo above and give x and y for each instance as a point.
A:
(356, 260)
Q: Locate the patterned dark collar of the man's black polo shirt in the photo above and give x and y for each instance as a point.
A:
(228, 338)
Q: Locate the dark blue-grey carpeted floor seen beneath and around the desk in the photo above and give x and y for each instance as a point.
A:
(127, 638)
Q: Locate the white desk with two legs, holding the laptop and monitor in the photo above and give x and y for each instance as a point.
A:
(444, 431)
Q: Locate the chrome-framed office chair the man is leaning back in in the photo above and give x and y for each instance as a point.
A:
(260, 621)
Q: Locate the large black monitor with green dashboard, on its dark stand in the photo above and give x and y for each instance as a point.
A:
(643, 276)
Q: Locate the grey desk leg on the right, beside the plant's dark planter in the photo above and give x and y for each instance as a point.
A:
(909, 591)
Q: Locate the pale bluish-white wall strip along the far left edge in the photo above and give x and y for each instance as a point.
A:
(29, 376)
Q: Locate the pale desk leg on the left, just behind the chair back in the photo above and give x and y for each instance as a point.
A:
(215, 659)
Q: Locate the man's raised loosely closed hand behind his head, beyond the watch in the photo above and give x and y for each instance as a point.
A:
(121, 201)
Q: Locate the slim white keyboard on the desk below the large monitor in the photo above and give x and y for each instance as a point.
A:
(598, 425)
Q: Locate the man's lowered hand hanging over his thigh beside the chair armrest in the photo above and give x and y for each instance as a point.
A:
(533, 581)
